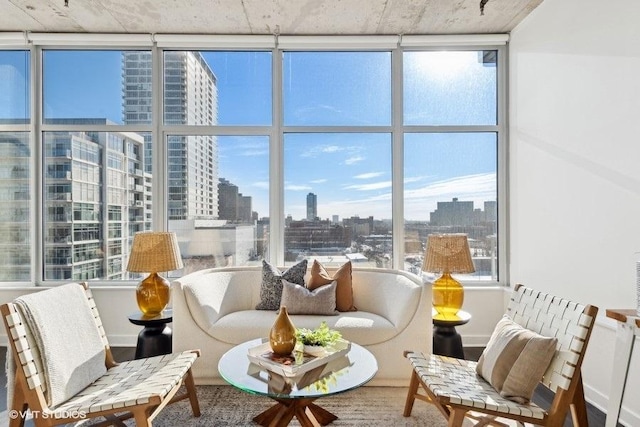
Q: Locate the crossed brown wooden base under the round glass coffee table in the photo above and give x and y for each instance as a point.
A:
(308, 414)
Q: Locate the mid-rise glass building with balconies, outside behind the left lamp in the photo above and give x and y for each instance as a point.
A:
(95, 192)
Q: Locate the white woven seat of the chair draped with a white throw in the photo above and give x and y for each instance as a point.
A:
(130, 383)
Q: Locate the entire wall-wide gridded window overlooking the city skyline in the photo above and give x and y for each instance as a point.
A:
(248, 154)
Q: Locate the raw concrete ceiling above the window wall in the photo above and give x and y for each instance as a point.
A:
(289, 17)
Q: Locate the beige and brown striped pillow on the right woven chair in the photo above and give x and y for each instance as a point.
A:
(515, 360)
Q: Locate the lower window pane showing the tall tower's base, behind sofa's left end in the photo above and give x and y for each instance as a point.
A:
(219, 208)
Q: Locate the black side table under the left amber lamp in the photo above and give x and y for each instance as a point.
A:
(155, 337)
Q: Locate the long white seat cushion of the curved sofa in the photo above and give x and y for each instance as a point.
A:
(360, 327)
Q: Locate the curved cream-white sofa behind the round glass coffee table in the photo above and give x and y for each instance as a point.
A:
(214, 310)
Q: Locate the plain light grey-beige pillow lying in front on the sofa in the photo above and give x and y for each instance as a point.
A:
(300, 300)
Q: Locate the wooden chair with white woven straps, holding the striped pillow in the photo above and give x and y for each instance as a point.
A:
(542, 313)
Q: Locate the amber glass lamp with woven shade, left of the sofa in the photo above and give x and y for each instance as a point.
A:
(152, 252)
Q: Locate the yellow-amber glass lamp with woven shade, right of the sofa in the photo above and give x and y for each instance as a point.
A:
(446, 254)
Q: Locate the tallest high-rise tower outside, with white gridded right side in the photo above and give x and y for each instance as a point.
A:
(190, 98)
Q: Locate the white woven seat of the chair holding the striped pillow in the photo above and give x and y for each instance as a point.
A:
(457, 381)
